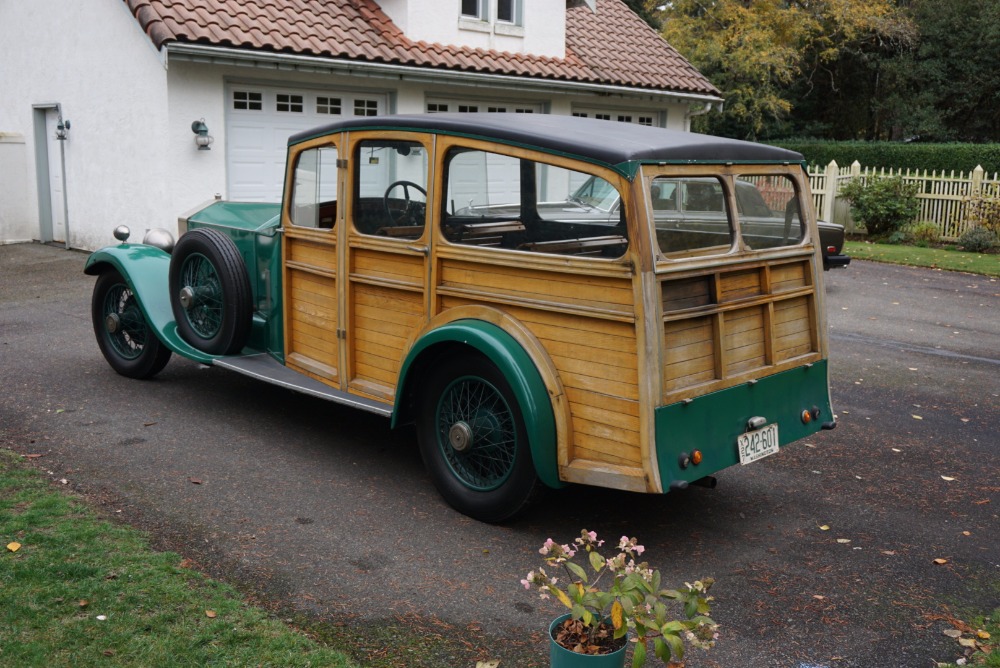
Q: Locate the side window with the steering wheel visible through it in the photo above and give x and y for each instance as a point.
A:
(390, 188)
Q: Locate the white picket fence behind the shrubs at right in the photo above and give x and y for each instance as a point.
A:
(943, 197)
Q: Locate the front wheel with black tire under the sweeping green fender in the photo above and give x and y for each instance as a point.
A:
(124, 336)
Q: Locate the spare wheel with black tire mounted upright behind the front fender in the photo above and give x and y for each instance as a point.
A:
(210, 292)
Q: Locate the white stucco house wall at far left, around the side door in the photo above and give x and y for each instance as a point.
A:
(94, 60)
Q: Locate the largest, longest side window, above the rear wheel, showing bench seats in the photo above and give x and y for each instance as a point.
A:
(513, 203)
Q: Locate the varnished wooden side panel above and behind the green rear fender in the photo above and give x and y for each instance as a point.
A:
(586, 324)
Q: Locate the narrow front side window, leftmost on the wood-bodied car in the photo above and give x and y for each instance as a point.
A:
(314, 188)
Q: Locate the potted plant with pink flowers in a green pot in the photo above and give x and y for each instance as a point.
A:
(608, 597)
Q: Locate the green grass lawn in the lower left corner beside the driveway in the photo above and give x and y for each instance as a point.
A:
(79, 591)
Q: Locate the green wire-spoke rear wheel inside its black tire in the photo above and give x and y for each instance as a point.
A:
(476, 433)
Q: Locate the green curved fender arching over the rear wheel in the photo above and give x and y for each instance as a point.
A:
(520, 372)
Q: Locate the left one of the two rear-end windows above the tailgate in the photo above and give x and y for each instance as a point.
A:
(691, 215)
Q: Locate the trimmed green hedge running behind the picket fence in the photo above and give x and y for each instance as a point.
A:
(897, 155)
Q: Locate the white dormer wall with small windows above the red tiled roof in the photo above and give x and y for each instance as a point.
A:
(543, 31)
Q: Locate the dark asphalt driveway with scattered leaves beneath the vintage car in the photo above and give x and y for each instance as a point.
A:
(326, 510)
